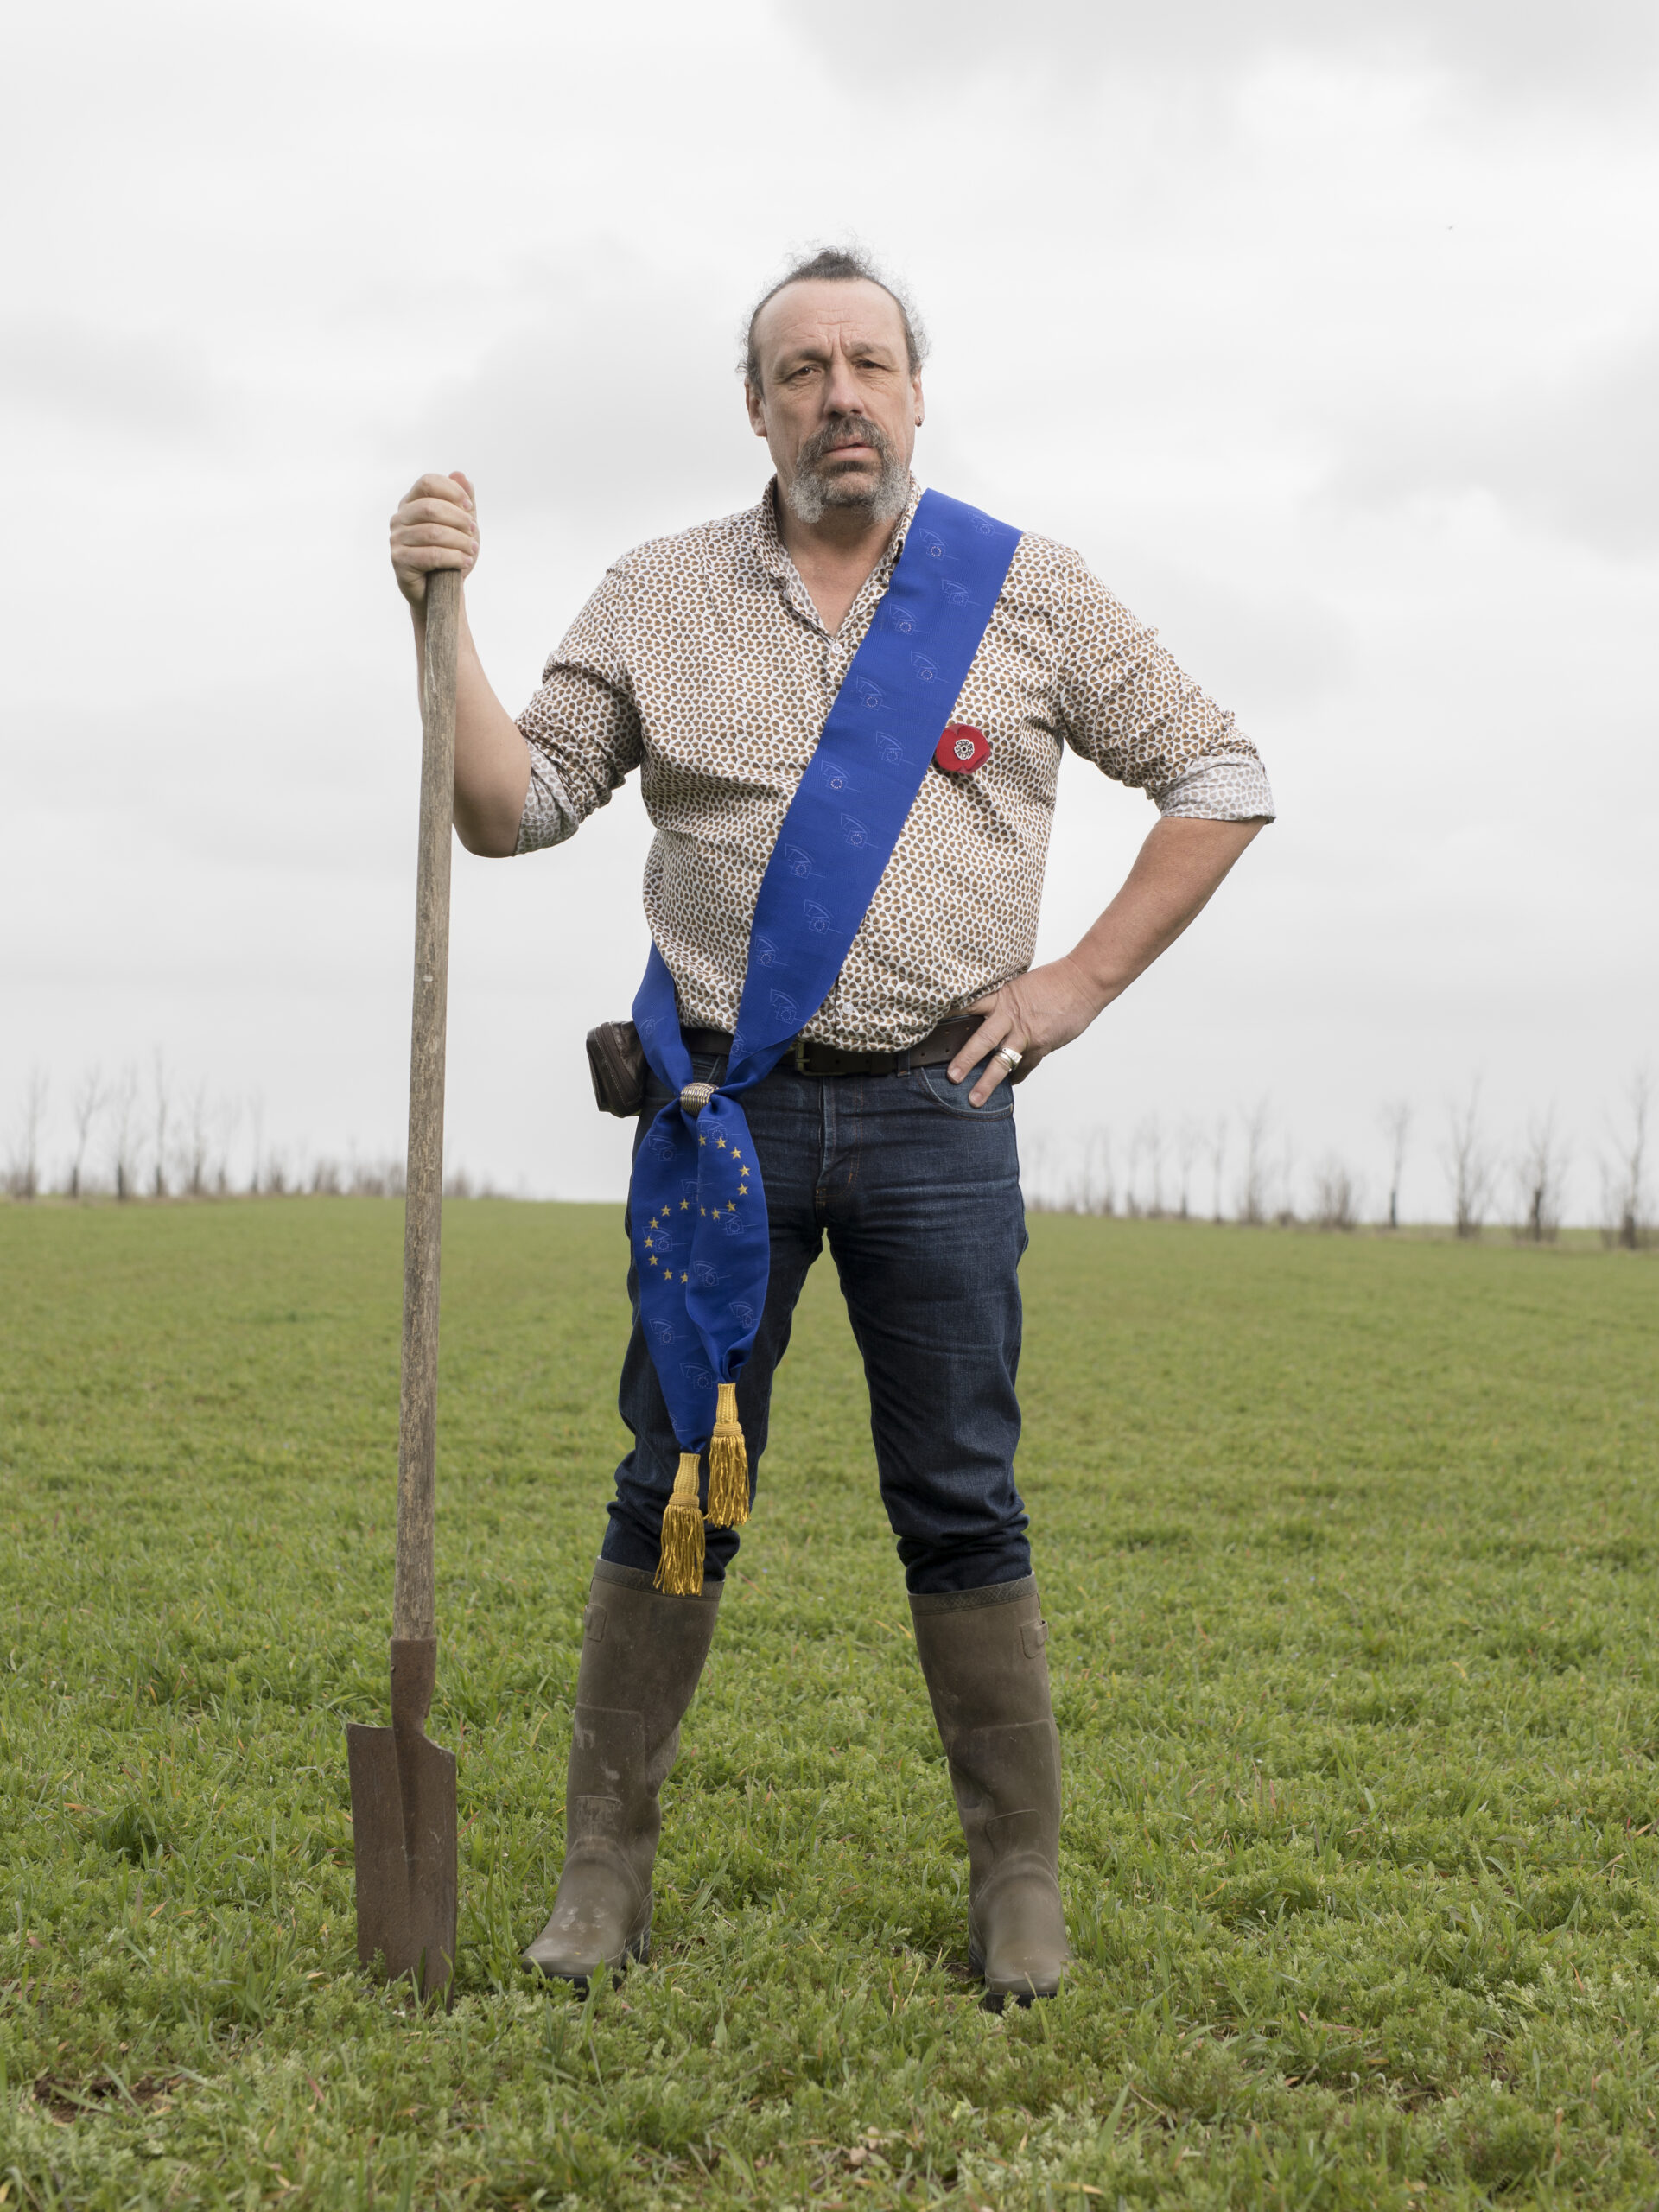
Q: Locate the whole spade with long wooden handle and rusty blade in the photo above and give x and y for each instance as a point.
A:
(404, 1786)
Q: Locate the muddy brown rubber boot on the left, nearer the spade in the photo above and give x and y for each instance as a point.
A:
(640, 1662)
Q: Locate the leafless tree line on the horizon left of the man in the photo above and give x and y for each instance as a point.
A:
(136, 1134)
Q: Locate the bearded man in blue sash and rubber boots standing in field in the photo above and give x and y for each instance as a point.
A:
(760, 669)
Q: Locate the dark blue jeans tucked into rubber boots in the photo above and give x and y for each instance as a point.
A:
(919, 1196)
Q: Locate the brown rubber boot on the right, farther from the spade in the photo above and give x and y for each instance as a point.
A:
(988, 1676)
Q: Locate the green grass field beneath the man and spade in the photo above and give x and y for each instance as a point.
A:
(1350, 1554)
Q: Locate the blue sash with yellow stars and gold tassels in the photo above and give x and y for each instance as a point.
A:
(698, 1209)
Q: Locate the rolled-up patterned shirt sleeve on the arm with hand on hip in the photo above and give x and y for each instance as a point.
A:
(1140, 720)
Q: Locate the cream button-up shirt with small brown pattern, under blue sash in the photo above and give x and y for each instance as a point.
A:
(702, 662)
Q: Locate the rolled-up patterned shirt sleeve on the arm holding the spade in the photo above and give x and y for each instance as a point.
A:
(583, 724)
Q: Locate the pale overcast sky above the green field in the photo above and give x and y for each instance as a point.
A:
(1331, 342)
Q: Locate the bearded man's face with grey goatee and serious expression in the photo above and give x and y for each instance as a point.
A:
(837, 406)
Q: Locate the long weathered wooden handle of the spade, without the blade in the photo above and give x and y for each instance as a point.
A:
(415, 1605)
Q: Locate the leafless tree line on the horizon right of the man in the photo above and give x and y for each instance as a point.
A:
(1244, 1169)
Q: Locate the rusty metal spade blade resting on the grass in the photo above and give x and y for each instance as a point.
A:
(404, 1826)
